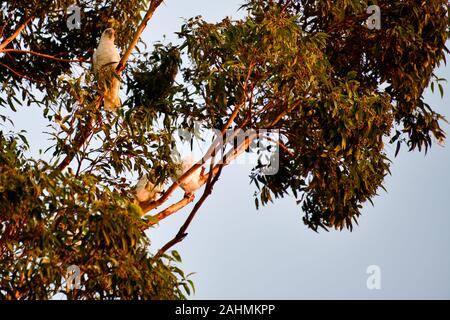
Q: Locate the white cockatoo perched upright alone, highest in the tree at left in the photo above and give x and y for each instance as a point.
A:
(106, 58)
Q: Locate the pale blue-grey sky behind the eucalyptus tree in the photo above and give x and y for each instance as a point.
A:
(240, 253)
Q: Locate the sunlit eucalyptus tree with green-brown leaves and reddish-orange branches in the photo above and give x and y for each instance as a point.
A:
(334, 89)
